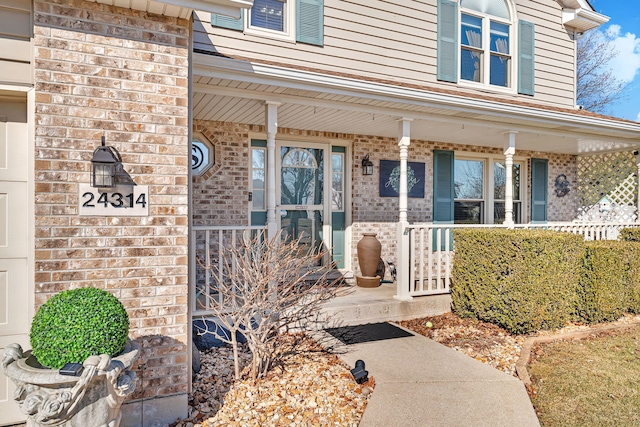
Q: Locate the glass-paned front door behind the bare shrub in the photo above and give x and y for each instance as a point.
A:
(301, 194)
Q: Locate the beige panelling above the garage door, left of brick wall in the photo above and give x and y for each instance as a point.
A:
(15, 41)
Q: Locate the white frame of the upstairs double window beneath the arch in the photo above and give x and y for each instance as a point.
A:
(486, 41)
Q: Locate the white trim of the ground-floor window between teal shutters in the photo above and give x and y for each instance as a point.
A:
(489, 200)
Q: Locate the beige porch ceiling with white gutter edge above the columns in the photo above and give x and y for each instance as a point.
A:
(310, 101)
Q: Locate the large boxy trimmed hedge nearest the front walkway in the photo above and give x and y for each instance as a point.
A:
(522, 280)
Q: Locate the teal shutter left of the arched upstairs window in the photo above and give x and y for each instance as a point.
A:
(447, 41)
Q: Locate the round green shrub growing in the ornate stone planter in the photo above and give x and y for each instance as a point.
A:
(76, 324)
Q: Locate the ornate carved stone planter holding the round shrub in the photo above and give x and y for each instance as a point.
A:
(92, 399)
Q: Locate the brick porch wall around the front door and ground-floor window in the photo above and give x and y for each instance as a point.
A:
(370, 212)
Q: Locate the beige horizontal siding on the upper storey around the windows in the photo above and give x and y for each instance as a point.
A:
(397, 42)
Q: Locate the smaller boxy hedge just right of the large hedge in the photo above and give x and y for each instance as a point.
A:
(603, 281)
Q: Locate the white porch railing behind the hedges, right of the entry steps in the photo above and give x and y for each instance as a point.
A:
(428, 253)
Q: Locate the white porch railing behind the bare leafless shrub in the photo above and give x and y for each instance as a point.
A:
(206, 243)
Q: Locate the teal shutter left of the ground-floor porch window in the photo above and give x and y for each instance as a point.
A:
(443, 186)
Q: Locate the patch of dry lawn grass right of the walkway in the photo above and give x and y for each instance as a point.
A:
(590, 382)
